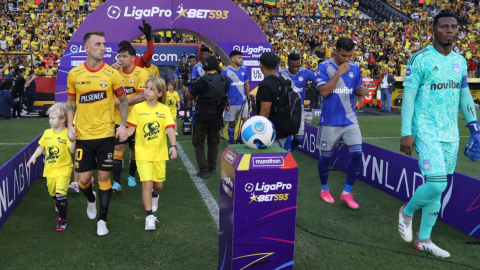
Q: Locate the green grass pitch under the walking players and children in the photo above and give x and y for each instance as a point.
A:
(327, 236)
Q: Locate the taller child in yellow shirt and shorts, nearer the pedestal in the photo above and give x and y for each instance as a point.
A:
(152, 118)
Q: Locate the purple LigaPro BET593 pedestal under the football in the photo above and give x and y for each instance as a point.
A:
(258, 201)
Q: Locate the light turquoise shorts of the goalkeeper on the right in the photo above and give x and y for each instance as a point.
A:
(436, 158)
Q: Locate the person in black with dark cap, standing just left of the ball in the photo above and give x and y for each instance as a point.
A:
(211, 91)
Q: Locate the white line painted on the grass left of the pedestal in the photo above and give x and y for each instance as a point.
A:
(207, 197)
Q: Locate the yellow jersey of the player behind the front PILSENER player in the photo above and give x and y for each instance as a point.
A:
(133, 83)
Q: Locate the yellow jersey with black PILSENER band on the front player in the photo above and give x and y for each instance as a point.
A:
(94, 91)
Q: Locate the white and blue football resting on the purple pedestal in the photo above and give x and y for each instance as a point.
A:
(258, 132)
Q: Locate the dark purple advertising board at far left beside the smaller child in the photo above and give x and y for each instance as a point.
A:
(16, 179)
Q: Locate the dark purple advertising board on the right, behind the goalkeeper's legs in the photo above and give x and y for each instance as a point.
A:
(399, 176)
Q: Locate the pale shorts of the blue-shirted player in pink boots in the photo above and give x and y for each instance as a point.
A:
(328, 136)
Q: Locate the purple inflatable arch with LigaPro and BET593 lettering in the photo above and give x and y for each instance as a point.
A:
(221, 21)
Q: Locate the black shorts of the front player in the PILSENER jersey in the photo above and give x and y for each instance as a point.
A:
(94, 154)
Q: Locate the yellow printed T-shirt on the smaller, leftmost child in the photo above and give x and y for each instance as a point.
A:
(58, 159)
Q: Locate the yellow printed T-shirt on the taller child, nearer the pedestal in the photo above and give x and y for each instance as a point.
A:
(150, 137)
